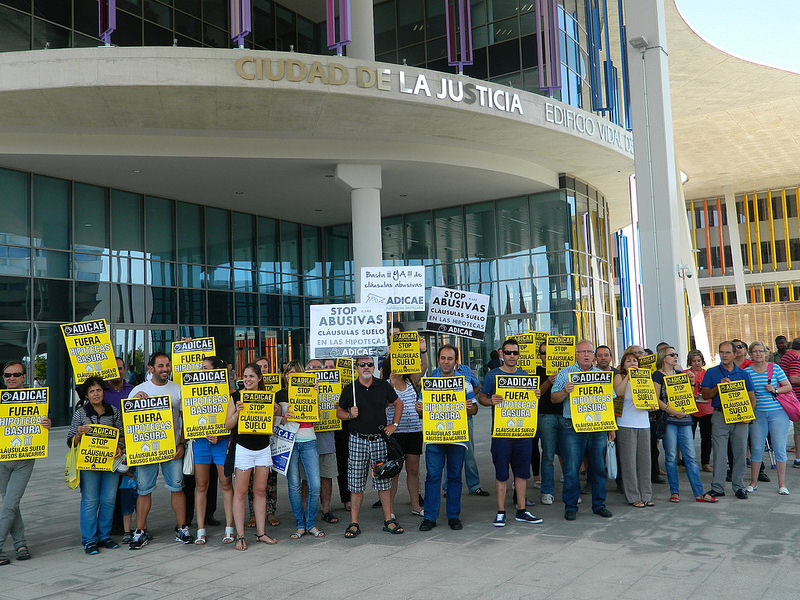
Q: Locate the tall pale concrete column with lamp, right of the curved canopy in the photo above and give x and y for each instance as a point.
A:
(656, 181)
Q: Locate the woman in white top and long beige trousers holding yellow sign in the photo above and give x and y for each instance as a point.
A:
(633, 438)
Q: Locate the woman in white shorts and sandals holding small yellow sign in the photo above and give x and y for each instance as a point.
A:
(252, 454)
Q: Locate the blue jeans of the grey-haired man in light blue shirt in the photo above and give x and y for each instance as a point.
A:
(573, 447)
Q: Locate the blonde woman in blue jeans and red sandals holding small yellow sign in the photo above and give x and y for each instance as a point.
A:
(679, 431)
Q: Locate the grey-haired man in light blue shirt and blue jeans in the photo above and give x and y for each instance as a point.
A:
(575, 445)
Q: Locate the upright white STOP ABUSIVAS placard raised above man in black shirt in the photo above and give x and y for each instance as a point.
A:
(348, 330)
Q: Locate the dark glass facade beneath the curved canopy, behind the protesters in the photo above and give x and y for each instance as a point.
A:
(159, 269)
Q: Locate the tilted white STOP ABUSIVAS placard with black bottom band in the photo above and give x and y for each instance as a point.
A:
(458, 313)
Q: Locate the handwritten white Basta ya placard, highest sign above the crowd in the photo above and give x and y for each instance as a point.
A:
(399, 288)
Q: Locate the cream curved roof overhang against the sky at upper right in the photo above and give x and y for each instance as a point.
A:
(736, 123)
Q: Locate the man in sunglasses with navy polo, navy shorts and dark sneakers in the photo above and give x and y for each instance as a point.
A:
(515, 452)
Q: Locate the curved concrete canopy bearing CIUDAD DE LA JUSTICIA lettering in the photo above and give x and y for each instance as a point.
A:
(181, 123)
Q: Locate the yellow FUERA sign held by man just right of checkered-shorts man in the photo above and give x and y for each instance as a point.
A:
(444, 410)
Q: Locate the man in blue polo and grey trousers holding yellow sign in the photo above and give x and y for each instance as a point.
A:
(721, 431)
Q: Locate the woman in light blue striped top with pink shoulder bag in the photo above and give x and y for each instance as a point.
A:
(768, 380)
